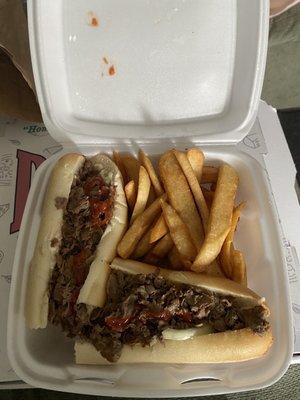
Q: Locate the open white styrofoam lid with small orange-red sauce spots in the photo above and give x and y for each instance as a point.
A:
(148, 69)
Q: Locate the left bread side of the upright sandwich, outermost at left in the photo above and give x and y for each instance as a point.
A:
(44, 259)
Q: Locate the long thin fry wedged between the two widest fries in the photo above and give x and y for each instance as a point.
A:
(194, 186)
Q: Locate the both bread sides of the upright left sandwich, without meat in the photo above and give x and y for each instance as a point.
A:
(50, 237)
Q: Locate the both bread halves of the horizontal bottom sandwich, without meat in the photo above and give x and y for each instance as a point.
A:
(229, 346)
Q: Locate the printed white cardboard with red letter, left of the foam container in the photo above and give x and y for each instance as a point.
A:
(23, 147)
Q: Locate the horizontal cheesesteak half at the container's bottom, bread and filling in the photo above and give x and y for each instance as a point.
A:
(163, 316)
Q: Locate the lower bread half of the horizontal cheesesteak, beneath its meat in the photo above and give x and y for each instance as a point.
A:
(224, 347)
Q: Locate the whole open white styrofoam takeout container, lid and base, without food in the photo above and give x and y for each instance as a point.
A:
(66, 53)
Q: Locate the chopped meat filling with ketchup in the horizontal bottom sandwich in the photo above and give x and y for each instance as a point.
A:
(140, 308)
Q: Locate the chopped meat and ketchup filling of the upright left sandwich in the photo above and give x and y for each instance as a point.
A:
(87, 212)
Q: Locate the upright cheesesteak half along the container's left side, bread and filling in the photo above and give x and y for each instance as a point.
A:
(83, 218)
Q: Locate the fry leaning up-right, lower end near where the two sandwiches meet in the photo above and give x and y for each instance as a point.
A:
(142, 223)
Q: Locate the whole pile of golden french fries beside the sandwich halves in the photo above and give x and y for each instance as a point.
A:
(182, 216)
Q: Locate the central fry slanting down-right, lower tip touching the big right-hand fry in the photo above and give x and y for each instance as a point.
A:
(179, 232)
